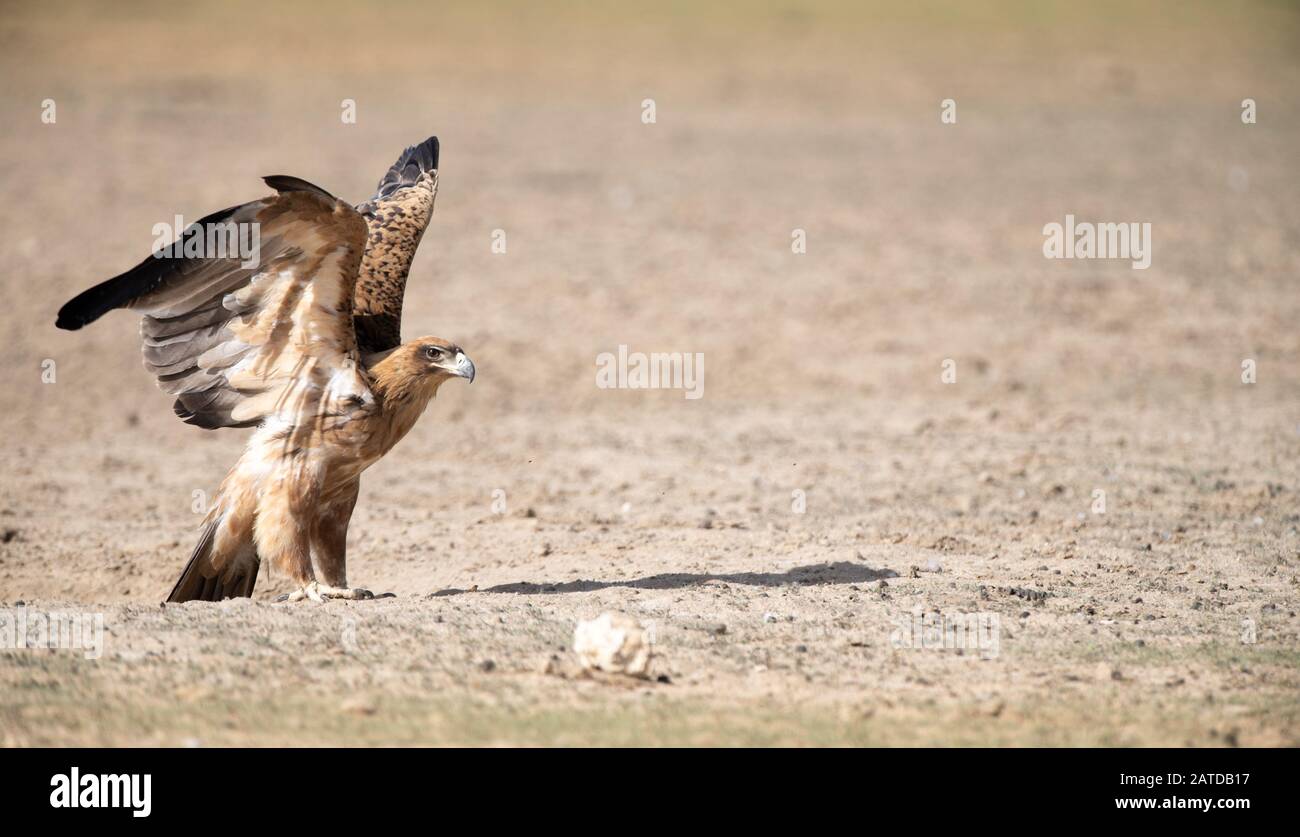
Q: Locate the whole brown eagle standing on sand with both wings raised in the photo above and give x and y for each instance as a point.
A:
(302, 342)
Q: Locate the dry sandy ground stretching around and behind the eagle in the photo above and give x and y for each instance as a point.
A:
(1167, 619)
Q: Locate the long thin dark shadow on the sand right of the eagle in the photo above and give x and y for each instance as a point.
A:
(839, 573)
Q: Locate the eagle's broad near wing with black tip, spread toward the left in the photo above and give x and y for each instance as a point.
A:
(242, 340)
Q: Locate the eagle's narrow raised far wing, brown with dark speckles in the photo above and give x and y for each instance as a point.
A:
(397, 216)
